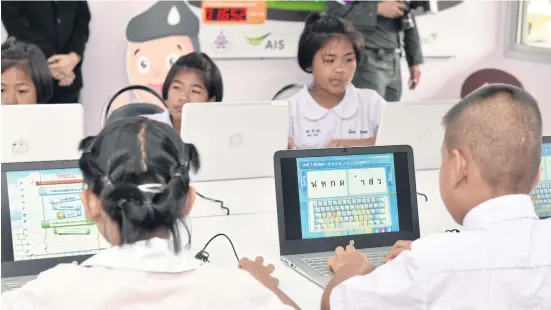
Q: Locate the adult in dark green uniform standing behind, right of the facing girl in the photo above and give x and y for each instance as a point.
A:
(386, 34)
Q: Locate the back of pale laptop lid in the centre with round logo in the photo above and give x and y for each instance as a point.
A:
(236, 140)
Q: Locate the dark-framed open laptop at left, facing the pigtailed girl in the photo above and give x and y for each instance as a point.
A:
(43, 223)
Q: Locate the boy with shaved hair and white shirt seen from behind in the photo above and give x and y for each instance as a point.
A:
(502, 259)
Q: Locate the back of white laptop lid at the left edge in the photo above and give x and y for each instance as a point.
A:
(41, 132)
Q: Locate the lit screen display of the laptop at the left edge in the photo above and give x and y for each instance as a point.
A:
(47, 218)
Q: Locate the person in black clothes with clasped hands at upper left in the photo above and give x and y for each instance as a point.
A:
(60, 29)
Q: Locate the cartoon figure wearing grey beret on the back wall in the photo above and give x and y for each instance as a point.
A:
(156, 39)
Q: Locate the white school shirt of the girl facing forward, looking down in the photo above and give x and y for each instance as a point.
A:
(357, 116)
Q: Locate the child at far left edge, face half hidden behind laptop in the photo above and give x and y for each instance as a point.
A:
(26, 78)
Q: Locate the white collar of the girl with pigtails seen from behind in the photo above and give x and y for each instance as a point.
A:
(153, 255)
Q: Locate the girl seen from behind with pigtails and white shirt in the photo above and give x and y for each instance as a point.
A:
(136, 173)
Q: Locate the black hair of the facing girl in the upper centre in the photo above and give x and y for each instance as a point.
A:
(320, 29)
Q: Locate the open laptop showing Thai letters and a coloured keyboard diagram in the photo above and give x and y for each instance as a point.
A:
(334, 197)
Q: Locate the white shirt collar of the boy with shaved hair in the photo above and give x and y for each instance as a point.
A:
(500, 209)
